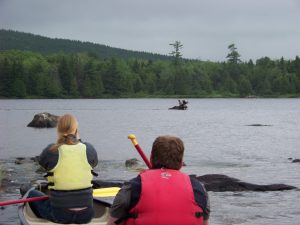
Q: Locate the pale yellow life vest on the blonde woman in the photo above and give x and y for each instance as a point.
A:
(72, 171)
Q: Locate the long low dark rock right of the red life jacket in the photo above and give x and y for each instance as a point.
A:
(221, 183)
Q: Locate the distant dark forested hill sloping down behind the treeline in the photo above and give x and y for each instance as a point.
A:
(26, 41)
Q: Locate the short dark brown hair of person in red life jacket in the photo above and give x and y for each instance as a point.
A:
(167, 152)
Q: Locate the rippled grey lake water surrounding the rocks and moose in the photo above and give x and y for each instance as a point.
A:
(217, 140)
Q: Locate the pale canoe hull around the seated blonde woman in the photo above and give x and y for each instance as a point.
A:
(101, 206)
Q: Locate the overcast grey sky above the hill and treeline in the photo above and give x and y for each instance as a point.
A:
(205, 28)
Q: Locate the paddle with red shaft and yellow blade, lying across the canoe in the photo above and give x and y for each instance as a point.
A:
(100, 192)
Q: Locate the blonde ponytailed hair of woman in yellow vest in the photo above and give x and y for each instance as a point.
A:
(66, 130)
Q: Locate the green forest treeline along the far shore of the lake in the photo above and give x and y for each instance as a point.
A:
(25, 74)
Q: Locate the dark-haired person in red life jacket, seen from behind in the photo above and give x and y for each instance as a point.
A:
(162, 195)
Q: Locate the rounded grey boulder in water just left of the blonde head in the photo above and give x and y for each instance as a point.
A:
(44, 119)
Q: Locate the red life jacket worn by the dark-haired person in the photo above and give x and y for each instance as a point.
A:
(167, 198)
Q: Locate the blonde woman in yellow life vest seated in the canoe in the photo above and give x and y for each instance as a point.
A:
(69, 163)
